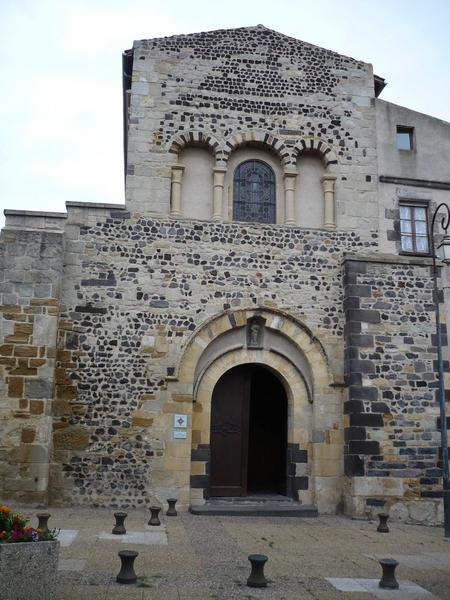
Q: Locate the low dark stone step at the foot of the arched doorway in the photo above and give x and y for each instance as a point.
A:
(255, 509)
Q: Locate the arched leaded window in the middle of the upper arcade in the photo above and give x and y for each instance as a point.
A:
(254, 192)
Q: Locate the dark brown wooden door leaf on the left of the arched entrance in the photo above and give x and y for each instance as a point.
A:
(229, 433)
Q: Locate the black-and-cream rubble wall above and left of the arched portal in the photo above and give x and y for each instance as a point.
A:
(199, 269)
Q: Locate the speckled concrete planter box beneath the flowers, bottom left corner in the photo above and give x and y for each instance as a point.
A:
(28, 570)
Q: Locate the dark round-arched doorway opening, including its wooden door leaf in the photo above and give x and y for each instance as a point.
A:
(248, 433)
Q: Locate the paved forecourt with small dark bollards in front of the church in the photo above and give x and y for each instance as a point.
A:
(197, 557)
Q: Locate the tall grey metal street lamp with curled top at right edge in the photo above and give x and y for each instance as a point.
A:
(444, 254)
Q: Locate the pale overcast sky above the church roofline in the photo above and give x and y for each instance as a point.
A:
(60, 75)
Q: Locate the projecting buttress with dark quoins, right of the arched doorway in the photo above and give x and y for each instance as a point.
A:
(390, 362)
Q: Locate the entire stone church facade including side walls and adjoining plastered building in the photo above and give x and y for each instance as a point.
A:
(257, 318)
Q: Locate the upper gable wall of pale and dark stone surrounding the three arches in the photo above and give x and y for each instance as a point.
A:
(208, 88)
